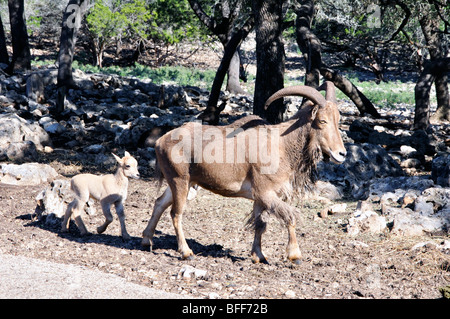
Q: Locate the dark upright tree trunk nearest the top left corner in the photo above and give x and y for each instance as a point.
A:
(21, 59)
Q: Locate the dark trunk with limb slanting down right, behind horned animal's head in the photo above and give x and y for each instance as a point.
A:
(311, 48)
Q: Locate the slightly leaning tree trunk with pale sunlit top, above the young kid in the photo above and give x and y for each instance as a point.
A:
(71, 23)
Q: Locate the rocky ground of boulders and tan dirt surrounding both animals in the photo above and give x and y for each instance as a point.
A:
(377, 226)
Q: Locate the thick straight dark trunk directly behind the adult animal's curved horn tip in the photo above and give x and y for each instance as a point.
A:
(269, 58)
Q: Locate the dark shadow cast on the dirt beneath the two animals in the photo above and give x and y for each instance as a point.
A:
(161, 241)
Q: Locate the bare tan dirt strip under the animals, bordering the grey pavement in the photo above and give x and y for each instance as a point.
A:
(334, 264)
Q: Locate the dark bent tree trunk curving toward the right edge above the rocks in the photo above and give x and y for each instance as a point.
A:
(432, 70)
